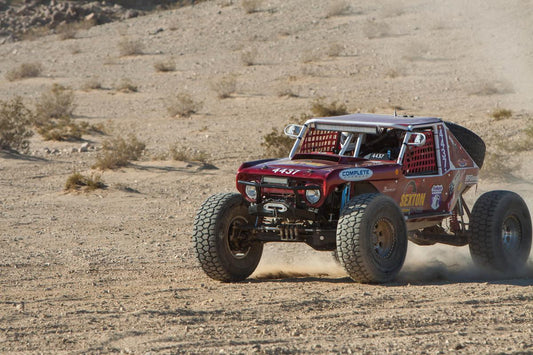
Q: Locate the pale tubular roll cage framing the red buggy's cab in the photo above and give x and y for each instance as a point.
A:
(362, 128)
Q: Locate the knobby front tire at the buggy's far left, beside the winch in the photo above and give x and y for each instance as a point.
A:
(225, 252)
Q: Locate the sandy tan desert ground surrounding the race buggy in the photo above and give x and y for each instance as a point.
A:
(113, 270)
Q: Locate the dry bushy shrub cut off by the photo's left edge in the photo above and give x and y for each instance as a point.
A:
(15, 125)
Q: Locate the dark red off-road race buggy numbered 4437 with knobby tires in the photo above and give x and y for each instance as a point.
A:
(362, 185)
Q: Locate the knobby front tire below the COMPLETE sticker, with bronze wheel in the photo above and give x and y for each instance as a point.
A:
(371, 238)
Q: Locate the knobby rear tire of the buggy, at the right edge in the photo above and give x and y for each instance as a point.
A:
(500, 232)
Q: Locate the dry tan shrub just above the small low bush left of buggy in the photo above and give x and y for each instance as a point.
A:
(118, 152)
